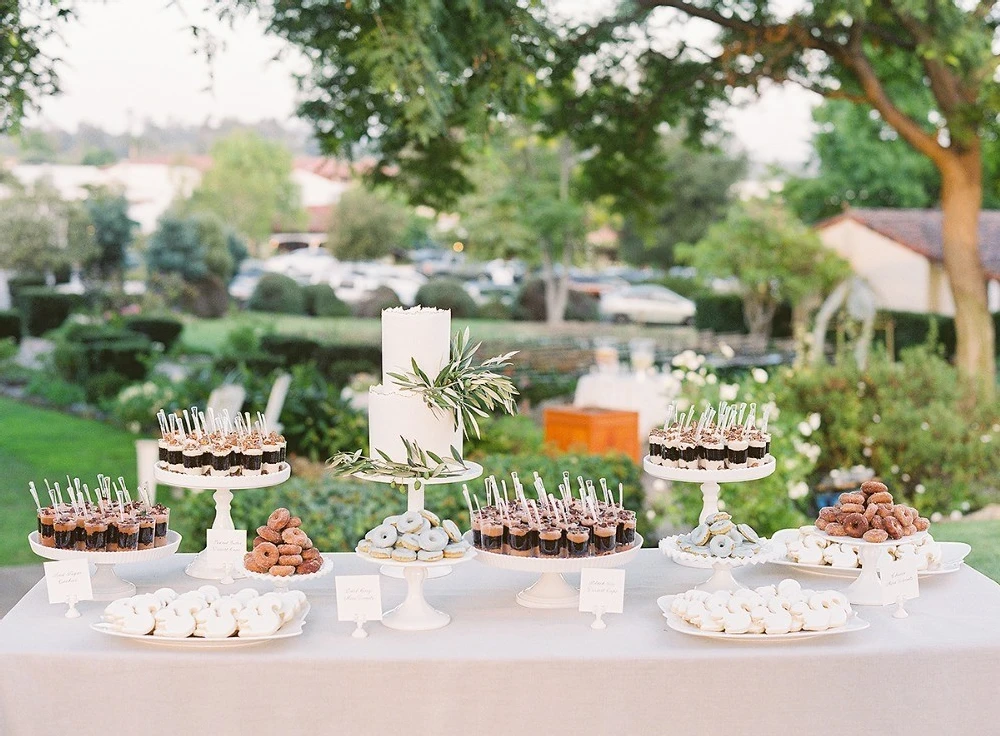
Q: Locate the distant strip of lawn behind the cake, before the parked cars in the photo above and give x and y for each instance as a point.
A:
(209, 334)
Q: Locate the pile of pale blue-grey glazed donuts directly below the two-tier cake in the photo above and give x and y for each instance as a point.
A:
(416, 536)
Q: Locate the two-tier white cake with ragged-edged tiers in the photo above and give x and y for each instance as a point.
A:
(424, 335)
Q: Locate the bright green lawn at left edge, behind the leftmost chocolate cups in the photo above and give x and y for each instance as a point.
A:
(39, 443)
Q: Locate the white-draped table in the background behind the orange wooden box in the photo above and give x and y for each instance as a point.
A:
(647, 395)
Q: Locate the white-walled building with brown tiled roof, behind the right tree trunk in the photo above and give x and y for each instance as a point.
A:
(899, 253)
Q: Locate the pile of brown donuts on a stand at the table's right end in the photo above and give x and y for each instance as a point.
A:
(871, 515)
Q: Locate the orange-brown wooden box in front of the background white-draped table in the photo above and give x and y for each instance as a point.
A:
(595, 431)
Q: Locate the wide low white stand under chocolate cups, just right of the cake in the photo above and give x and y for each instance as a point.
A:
(551, 589)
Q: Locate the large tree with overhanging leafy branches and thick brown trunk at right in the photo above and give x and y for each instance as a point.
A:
(419, 83)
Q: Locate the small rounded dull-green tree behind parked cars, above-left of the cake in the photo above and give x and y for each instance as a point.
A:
(367, 224)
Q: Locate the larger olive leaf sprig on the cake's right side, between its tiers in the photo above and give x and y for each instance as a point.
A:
(468, 390)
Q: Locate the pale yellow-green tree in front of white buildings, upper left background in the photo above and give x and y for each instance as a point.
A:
(249, 186)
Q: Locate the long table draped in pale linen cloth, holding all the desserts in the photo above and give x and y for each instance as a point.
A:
(499, 664)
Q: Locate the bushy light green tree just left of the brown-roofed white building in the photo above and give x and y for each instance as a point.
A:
(773, 257)
